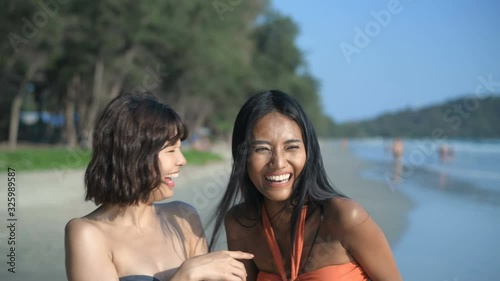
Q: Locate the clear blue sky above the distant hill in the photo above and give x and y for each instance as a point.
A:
(426, 52)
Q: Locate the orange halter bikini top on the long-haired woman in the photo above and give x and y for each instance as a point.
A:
(343, 272)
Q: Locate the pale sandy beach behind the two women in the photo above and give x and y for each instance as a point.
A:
(47, 200)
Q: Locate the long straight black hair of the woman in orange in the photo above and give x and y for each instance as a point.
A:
(312, 184)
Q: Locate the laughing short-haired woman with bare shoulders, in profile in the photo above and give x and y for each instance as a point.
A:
(130, 237)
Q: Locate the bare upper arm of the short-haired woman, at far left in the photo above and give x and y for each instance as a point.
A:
(87, 255)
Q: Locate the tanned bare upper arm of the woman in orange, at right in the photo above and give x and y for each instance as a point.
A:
(366, 242)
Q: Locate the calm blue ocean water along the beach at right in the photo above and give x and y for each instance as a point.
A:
(455, 225)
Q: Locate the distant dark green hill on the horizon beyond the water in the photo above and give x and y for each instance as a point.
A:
(468, 117)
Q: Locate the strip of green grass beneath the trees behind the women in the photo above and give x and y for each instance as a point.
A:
(67, 159)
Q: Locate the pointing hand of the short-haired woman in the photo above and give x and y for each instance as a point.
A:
(221, 265)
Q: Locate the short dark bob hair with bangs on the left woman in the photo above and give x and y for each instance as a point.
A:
(131, 131)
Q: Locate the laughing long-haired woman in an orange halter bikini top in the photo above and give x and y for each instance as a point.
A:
(280, 206)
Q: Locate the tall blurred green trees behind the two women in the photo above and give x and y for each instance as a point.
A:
(68, 58)
